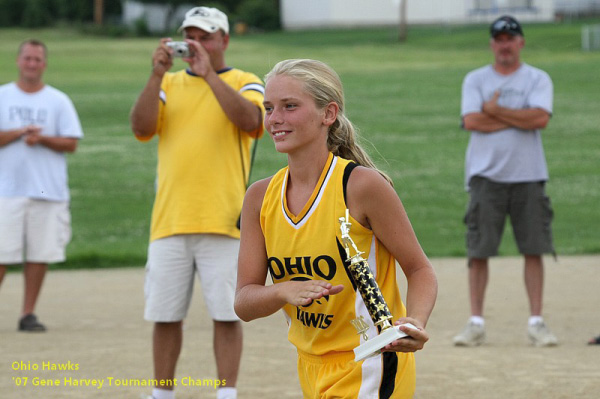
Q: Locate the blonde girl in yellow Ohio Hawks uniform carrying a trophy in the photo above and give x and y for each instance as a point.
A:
(290, 230)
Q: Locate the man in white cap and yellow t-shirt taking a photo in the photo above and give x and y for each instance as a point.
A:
(206, 118)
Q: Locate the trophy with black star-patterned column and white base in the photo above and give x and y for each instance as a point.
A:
(374, 301)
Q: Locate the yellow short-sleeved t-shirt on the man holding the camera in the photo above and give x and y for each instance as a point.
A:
(203, 158)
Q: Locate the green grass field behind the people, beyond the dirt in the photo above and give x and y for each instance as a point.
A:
(405, 98)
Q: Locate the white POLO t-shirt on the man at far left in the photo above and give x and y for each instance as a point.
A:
(35, 171)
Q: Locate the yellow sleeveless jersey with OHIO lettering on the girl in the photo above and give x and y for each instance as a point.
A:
(308, 246)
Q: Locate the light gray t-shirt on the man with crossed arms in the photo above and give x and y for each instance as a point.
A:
(509, 155)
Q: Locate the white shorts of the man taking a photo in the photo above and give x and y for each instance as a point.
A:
(172, 262)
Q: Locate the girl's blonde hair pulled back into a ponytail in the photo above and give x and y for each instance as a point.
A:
(325, 86)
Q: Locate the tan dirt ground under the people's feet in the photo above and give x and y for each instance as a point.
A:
(97, 333)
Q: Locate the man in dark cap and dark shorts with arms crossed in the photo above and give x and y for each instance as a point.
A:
(505, 106)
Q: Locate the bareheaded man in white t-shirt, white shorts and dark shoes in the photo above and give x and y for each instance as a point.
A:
(38, 125)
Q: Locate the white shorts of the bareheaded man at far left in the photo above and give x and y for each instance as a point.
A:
(33, 230)
